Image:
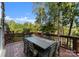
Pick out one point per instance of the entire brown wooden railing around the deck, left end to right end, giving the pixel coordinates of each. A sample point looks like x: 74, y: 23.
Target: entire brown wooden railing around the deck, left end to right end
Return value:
x: 68, y: 42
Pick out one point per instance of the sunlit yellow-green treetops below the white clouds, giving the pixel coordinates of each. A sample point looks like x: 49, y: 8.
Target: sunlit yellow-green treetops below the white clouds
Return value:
x: 19, y: 28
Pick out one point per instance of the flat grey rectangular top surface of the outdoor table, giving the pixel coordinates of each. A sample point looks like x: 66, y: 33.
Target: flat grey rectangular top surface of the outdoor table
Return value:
x: 41, y: 42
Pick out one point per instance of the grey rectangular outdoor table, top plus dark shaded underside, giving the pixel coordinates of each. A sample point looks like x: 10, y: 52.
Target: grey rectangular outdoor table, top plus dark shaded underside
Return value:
x: 43, y: 43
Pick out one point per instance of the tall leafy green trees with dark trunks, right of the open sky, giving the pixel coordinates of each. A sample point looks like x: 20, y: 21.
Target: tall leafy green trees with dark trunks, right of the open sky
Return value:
x: 59, y: 17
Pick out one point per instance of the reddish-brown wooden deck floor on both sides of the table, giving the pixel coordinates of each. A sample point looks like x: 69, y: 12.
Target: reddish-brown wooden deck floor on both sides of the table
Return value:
x: 16, y: 50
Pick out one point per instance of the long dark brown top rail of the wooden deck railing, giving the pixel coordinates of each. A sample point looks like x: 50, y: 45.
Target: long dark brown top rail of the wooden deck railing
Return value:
x: 49, y: 34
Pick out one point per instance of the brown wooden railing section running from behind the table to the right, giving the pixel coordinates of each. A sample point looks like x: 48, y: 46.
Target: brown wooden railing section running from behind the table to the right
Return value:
x: 68, y: 42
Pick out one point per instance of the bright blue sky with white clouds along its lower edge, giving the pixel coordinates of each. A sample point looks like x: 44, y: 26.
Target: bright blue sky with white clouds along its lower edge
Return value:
x: 20, y: 12
